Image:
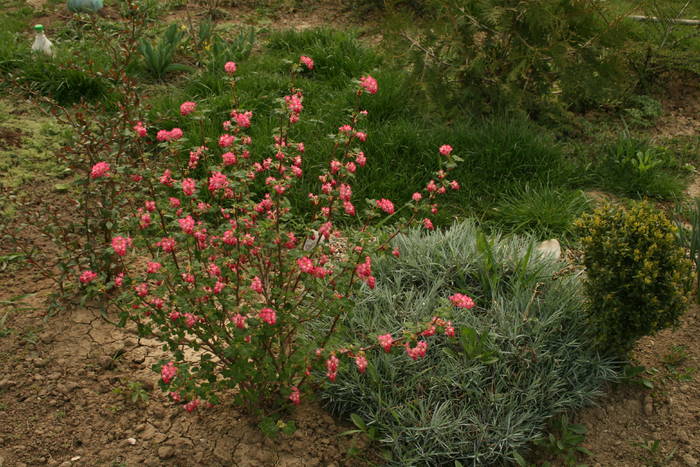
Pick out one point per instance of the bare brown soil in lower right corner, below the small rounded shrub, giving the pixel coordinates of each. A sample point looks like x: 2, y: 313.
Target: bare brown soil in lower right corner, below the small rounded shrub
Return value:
x: 622, y: 431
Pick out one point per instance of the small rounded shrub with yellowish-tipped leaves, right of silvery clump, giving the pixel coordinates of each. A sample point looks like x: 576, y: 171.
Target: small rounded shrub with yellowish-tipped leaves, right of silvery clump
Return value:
x: 637, y: 274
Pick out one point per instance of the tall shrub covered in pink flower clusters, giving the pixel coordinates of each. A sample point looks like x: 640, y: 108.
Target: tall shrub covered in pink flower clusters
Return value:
x: 216, y: 262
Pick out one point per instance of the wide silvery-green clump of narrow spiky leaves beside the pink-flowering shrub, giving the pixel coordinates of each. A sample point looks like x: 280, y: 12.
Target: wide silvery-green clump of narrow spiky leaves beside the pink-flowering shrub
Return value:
x: 523, y: 353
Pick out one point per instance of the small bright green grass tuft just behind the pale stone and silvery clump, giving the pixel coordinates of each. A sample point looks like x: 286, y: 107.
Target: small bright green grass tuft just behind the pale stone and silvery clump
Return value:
x: 544, y: 210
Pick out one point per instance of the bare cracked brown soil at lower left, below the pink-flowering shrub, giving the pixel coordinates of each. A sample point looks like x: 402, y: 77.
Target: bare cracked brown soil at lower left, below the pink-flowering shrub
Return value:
x: 64, y: 402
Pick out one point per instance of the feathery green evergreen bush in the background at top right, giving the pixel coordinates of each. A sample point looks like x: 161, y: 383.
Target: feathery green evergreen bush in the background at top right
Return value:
x: 490, y: 54
